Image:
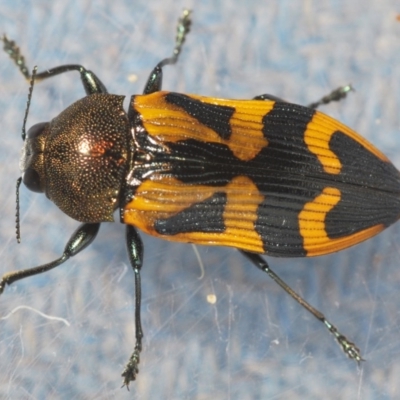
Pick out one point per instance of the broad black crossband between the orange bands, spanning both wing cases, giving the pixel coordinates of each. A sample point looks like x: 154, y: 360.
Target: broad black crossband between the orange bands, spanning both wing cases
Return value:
x: 285, y: 193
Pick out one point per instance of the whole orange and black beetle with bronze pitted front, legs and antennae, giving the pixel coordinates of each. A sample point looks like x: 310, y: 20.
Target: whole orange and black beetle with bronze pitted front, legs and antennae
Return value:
x: 264, y: 176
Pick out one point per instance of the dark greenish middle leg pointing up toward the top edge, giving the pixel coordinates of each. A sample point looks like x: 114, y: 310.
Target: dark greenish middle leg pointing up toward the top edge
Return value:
x: 154, y: 82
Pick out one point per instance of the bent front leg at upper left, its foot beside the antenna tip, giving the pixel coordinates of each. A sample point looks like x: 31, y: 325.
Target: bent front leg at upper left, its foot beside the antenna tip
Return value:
x: 91, y: 83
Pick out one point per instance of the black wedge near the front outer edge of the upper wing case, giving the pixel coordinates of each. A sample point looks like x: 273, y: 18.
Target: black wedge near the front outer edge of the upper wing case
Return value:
x: 212, y: 116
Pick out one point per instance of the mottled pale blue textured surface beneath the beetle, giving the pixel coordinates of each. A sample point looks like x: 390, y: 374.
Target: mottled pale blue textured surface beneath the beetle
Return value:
x: 255, y: 342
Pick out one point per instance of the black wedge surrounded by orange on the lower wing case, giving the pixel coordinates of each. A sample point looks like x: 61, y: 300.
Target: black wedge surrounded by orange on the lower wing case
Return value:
x: 205, y: 216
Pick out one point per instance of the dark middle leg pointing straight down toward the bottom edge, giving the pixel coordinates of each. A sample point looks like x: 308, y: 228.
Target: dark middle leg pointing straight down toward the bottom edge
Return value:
x: 135, y: 252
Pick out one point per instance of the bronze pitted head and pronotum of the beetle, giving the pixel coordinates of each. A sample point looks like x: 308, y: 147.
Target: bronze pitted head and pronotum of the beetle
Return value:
x: 80, y: 158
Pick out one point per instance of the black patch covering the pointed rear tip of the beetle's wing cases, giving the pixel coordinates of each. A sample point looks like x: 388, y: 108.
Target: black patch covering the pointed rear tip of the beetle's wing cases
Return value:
x: 382, y: 181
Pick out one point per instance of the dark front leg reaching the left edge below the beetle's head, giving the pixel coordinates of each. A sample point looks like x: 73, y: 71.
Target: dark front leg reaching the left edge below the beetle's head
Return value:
x: 79, y: 240
